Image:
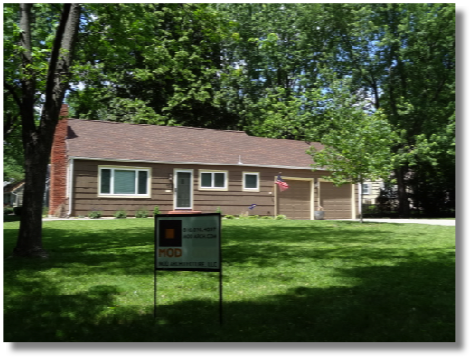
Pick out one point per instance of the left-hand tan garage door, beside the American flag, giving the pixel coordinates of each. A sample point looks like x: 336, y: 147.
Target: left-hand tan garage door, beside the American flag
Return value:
x: 295, y: 202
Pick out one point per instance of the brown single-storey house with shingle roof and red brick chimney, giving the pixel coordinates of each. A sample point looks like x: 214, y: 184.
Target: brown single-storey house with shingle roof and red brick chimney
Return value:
x: 110, y: 166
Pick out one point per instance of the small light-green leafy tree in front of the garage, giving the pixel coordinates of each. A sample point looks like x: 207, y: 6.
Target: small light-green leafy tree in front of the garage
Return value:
x: 357, y: 144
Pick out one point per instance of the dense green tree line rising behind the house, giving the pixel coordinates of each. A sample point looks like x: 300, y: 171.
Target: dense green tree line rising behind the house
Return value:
x: 270, y: 69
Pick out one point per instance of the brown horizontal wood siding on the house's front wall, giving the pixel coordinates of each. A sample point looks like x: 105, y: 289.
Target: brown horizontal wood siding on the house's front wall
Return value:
x: 234, y: 201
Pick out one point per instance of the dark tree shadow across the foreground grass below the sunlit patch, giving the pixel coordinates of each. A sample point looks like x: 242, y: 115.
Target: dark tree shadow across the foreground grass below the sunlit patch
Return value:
x: 410, y: 302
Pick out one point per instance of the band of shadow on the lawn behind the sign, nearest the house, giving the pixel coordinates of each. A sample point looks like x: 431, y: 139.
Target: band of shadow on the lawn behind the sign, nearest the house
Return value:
x: 130, y: 250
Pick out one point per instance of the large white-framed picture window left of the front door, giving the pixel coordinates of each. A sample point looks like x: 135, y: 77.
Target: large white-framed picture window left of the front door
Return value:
x: 117, y: 181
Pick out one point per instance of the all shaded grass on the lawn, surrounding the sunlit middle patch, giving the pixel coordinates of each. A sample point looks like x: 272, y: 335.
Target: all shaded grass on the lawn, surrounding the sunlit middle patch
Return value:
x: 413, y: 300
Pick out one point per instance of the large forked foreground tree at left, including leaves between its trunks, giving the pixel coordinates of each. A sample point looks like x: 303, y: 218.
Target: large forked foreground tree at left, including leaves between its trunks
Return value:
x: 36, y: 72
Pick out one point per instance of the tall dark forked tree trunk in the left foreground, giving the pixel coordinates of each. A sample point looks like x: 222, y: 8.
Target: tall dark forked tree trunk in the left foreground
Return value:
x: 37, y: 140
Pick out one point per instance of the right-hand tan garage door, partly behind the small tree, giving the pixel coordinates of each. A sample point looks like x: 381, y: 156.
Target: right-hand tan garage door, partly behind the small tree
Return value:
x: 336, y: 200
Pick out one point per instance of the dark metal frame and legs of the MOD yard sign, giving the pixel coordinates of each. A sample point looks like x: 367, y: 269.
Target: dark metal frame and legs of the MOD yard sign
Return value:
x: 173, y: 235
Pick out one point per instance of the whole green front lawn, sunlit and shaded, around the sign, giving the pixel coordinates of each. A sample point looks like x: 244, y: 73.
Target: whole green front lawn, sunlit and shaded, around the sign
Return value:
x: 309, y: 281
